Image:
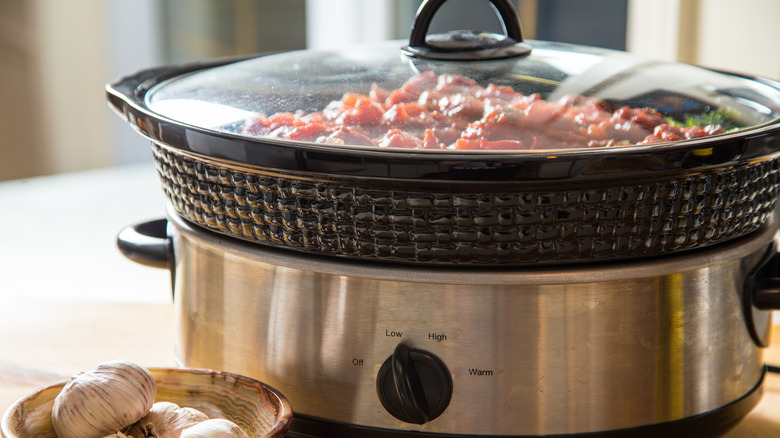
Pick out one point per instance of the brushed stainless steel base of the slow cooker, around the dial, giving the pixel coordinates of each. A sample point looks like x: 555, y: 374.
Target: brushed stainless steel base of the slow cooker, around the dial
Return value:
x: 531, y: 351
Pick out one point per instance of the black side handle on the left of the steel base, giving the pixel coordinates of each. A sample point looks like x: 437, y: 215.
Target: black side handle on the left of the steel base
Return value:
x: 147, y: 243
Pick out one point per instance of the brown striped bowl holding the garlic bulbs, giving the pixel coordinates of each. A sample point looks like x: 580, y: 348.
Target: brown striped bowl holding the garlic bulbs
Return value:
x: 259, y: 410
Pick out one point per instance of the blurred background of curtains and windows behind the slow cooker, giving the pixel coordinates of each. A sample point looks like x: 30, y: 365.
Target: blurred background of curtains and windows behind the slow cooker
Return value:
x: 56, y: 56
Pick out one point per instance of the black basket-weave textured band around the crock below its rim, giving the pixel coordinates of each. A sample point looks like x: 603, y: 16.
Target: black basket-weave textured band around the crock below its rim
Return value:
x: 506, y: 227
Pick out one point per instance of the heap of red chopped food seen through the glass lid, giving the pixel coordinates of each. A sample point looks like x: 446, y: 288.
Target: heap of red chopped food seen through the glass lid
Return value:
x: 446, y: 111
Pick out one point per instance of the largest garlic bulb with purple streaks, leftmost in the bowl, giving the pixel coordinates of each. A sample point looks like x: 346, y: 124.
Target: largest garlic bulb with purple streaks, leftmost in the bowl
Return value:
x: 99, y: 402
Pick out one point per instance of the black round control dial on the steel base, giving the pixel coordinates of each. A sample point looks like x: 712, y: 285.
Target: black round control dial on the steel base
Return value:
x: 414, y: 385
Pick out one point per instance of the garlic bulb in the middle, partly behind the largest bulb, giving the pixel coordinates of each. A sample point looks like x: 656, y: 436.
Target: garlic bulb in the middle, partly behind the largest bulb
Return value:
x: 165, y: 420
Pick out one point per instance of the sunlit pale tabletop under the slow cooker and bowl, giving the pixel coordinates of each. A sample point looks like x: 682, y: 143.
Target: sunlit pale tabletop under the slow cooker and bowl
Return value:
x: 69, y: 300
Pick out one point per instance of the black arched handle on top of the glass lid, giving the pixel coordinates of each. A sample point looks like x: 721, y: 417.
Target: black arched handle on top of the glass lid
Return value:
x: 466, y: 45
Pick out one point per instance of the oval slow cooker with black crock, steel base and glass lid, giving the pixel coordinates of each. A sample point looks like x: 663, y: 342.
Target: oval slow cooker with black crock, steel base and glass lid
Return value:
x: 469, y: 234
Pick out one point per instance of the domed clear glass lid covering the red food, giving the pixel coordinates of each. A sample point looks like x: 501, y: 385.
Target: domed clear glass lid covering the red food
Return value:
x: 557, y: 97
